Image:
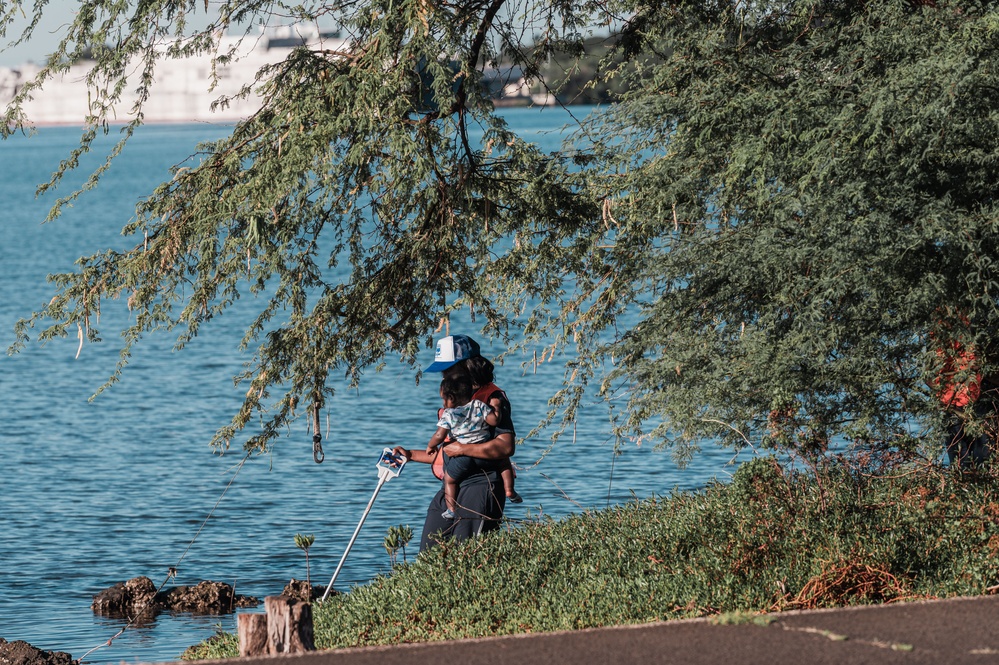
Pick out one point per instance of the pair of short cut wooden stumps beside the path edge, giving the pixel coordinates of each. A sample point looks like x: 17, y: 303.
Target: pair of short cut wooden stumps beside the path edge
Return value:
x: 285, y: 628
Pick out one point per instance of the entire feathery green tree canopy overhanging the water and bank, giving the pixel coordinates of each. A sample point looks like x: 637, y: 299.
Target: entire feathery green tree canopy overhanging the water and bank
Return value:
x: 796, y: 196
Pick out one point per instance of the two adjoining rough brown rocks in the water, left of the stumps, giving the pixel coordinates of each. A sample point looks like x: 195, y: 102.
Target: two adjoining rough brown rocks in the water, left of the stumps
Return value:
x: 128, y: 599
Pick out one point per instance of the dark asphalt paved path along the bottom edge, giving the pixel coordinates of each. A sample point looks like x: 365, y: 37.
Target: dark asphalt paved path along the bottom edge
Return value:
x: 958, y: 631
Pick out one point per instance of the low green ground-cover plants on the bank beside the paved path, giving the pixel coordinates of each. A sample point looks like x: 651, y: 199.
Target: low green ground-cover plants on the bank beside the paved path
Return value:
x: 772, y: 539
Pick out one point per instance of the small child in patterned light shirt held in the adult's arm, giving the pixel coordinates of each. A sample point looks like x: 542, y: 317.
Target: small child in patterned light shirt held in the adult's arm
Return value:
x: 467, y: 421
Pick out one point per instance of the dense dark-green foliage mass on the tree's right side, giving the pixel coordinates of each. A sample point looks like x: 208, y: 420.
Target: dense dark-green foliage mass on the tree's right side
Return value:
x: 800, y: 195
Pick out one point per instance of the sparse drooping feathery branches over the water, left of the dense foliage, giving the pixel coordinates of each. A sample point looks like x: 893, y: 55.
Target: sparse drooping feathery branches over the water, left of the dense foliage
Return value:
x: 358, y: 217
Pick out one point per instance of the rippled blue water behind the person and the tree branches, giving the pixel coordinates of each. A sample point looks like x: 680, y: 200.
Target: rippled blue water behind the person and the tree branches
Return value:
x: 97, y: 492
